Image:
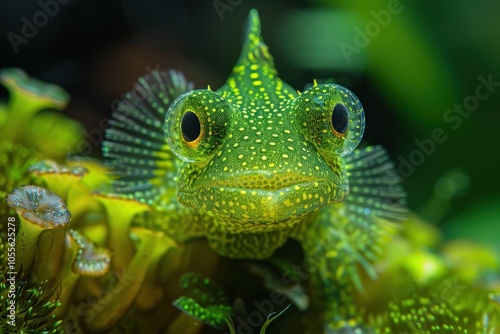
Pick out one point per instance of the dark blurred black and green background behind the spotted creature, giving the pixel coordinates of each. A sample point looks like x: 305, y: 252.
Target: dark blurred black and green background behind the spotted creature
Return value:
x: 408, y: 61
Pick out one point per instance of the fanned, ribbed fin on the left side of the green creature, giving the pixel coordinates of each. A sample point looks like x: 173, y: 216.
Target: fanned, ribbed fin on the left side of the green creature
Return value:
x: 135, y: 147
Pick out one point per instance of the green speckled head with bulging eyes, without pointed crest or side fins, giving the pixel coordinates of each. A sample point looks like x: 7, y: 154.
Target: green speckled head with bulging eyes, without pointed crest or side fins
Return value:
x: 256, y: 164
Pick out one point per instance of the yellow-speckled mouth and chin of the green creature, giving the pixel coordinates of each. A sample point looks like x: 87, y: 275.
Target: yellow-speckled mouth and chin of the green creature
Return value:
x: 253, y: 204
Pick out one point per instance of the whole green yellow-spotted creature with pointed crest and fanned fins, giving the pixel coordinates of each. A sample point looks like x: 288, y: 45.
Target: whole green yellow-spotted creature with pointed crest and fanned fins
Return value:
x: 255, y: 163
